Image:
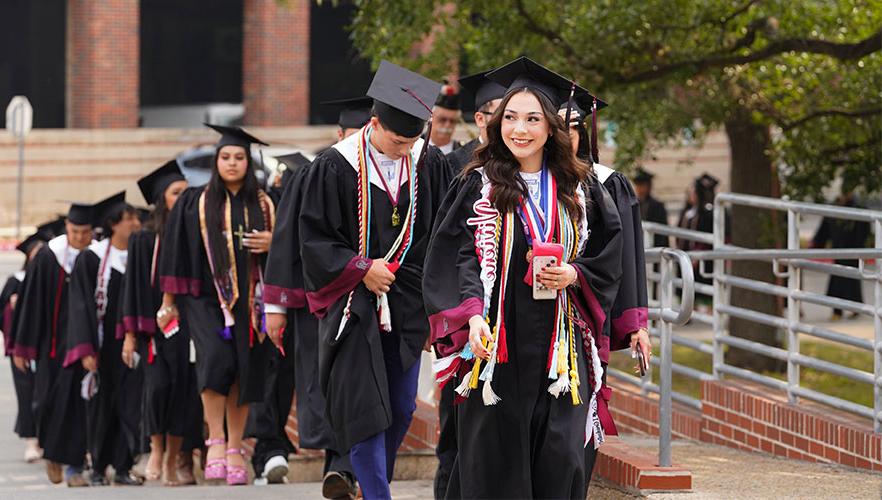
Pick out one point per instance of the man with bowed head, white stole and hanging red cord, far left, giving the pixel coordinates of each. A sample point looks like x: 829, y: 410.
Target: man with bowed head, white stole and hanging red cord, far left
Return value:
x: 40, y: 333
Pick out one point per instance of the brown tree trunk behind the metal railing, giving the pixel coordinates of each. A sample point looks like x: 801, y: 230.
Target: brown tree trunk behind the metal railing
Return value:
x: 752, y: 172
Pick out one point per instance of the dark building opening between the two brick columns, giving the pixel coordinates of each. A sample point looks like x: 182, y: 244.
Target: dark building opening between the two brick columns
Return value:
x: 191, y: 51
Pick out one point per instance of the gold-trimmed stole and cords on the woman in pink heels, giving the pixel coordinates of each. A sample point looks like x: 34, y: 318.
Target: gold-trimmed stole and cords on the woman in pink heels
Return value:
x: 228, y: 290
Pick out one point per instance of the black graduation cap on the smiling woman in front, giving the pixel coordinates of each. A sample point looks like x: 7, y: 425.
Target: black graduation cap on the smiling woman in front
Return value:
x: 523, y: 72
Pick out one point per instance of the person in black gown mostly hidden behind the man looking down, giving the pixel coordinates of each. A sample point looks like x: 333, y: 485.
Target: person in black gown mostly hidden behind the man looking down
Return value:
x: 298, y: 369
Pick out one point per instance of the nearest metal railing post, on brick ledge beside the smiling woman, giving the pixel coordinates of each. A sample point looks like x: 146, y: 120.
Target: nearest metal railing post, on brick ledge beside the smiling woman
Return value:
x: 666, y: 365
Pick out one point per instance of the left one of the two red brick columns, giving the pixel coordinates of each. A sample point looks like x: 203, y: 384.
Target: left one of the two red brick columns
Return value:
x: 103, y: 59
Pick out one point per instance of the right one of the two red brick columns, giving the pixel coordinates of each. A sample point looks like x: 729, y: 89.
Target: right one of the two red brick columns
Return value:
x: 275, y: 60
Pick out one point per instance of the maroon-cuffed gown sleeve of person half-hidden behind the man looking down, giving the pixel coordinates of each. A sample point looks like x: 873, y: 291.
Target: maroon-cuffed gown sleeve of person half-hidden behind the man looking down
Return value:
x: 283, y: 284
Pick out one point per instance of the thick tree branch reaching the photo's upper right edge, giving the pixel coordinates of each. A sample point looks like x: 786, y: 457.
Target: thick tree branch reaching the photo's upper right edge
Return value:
x: 841, y: 51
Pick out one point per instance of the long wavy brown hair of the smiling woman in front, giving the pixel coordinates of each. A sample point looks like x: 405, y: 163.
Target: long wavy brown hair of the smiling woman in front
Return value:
x: 501, y: 167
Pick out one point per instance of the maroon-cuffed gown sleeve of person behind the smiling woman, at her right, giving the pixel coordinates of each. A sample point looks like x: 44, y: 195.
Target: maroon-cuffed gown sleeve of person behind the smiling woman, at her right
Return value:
x: 629, y: 312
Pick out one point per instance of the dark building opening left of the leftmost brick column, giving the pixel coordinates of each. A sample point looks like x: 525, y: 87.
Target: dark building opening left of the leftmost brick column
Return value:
x: 32, y: 46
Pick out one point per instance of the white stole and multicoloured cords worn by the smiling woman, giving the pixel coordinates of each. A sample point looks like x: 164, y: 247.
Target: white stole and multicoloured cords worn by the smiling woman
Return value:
x: 562, y: 363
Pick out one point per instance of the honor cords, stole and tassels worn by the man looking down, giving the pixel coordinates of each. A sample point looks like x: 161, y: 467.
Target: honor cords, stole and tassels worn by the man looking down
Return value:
x: 397, y: 253
